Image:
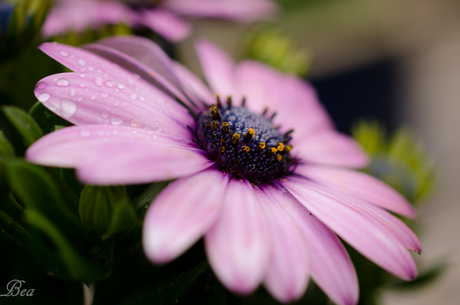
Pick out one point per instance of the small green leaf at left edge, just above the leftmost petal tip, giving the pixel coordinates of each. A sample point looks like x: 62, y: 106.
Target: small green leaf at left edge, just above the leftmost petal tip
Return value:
x: 24, y: 123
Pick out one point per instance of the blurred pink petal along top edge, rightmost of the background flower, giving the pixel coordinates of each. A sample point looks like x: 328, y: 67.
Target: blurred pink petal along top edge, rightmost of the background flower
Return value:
x: 239, y: 10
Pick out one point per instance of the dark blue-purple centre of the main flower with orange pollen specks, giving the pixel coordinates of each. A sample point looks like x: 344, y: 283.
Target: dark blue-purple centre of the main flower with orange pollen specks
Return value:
x: 243, y: 143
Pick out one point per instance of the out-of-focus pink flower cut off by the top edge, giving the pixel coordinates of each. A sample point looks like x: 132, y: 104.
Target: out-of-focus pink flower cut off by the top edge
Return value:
x: 168, y: 18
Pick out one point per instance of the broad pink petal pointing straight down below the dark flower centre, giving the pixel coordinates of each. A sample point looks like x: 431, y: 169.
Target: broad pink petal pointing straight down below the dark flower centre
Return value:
x: 238, y: 245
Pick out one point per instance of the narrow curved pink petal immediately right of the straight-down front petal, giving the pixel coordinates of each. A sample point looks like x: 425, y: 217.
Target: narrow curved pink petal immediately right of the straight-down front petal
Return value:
x: 289, y: 267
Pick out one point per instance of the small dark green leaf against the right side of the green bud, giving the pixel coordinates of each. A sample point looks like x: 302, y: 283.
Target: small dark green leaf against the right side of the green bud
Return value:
x: 123, y: 219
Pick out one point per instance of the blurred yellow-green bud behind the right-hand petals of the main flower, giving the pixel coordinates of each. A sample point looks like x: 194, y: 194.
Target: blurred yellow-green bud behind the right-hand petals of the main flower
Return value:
x: 400, y: 159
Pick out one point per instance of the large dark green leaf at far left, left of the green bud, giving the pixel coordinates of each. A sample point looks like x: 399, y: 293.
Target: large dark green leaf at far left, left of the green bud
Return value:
x: 35, y: 188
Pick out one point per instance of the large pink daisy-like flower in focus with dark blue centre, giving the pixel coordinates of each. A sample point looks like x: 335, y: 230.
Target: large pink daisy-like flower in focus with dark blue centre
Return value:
x: 261, y: 172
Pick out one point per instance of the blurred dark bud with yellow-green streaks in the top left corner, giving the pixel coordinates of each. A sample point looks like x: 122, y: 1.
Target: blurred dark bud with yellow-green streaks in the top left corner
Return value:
x: 20, y: 23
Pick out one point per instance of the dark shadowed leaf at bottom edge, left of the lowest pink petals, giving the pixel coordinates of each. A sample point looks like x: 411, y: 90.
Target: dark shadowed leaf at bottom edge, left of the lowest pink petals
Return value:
x: 169, y: 291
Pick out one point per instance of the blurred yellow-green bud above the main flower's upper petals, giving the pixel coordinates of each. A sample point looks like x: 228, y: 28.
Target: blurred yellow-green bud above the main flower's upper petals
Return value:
x: 271, y: 46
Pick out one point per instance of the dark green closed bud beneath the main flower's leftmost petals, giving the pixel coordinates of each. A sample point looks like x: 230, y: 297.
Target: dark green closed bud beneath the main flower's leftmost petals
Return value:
x: 106, y: 210
